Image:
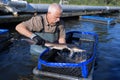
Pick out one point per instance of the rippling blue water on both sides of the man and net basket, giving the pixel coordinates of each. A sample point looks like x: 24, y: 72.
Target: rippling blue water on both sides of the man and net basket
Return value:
x: 16, y: 63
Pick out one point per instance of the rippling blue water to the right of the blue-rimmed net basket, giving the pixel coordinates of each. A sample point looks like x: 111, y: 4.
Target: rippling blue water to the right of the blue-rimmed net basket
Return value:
x: 108, y: 62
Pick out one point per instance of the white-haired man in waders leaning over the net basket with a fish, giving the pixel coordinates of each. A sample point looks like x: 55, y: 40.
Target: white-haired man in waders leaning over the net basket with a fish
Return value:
x: 44, y: 29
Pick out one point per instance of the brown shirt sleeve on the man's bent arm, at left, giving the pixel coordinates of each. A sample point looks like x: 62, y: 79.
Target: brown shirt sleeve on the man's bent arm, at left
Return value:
x: 34, y: 24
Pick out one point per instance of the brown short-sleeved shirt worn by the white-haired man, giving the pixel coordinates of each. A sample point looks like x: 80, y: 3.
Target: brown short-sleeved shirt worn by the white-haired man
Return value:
x: 37, y: 23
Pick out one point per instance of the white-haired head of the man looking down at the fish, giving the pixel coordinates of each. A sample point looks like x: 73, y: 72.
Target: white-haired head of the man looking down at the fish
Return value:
x: 54, y: 13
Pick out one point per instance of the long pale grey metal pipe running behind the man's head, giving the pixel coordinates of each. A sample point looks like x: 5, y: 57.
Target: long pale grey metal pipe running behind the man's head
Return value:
x: 74, y: 8
